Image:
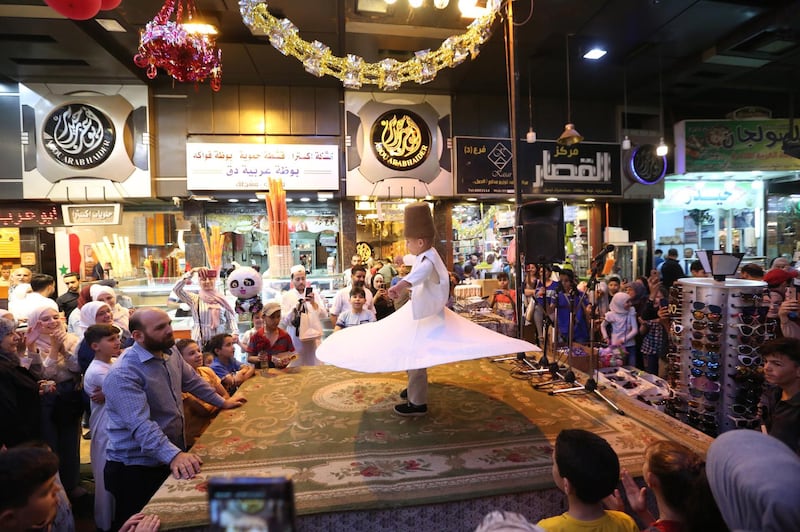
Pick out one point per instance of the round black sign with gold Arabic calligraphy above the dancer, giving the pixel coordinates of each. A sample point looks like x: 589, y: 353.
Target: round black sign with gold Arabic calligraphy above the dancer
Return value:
x: 400, y: 139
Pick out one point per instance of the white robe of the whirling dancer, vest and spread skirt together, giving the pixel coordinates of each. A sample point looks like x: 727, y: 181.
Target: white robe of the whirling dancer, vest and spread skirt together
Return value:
x: 421, y: 334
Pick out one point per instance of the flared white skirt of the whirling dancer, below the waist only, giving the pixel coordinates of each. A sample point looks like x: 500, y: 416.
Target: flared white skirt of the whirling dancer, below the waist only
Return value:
x: 399, y: 342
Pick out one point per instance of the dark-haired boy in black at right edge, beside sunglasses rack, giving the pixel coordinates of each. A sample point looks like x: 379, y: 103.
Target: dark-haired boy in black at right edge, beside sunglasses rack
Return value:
x: 780, y: 403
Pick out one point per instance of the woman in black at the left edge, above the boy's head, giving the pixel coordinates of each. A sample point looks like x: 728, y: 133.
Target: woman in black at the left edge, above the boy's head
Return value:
x: 20, y: 408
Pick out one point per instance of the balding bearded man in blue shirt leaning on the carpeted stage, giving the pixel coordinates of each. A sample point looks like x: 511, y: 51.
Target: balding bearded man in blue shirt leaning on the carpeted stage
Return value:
x: 144, y: 404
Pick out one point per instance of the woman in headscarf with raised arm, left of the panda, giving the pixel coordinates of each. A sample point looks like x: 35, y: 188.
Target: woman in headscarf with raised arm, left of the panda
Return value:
x: 211, y: 312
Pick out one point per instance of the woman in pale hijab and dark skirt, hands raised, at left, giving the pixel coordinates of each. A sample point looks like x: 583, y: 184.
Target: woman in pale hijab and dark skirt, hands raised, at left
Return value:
x: 63, y: 406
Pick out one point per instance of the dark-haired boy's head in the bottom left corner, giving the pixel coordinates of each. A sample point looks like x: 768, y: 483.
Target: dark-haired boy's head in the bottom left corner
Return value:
x: 28, y: 488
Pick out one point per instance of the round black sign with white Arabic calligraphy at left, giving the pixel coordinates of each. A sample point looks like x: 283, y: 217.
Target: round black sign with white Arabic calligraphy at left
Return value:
x: 79, y: 136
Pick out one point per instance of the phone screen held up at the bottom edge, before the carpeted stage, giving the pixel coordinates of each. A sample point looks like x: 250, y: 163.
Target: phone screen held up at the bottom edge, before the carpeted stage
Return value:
x: 250, y: 503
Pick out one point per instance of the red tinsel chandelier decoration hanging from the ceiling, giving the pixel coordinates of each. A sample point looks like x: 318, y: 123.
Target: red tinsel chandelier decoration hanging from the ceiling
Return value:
x: 186, y: 51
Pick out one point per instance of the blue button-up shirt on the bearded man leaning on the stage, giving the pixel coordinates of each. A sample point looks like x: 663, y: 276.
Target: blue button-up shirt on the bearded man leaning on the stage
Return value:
x: 145, y: 406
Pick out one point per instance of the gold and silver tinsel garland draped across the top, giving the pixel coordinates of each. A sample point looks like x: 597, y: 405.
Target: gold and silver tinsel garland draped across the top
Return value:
x: 388, y: 74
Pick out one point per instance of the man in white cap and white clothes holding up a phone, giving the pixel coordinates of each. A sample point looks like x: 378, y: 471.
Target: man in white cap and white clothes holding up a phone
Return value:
x: 301, y: 297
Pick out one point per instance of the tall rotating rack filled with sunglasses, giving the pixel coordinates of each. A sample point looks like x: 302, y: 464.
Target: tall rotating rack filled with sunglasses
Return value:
x: 721, y: 327
